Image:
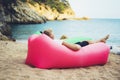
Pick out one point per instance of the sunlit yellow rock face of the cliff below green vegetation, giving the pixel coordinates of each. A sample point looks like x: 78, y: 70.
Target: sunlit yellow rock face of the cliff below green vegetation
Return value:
x: 52, y: 14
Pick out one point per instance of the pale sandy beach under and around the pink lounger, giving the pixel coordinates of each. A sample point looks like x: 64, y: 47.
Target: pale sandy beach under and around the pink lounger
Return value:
x: 12, y: 67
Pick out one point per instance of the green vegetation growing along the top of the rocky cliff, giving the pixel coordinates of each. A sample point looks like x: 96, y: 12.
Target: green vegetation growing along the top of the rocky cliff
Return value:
x: 60, y: 6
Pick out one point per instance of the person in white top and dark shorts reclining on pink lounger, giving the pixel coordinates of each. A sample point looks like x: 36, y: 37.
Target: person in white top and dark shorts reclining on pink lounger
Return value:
x: 76, y: 46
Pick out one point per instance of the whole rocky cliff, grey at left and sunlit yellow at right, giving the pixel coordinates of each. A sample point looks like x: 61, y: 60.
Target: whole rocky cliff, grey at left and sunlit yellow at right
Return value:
x: 26, y: 12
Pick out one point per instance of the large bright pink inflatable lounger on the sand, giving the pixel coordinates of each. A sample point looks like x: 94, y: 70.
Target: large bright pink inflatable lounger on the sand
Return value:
x: 44, y: 53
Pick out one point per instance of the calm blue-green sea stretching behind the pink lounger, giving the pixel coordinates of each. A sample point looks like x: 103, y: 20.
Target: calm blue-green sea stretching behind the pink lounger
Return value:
x: 94, y: 28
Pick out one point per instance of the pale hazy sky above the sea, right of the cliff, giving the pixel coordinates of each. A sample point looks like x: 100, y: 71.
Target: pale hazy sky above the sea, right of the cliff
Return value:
x: 96, y: 8
